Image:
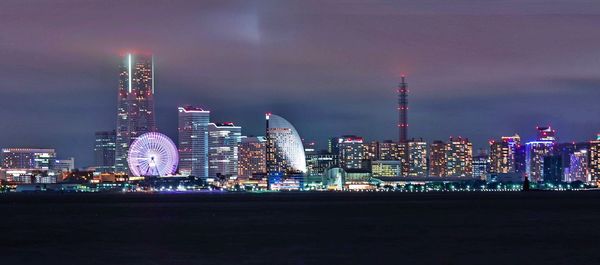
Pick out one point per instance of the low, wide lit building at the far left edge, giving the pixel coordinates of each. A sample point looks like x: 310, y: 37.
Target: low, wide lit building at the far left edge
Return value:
x: 28, y: 158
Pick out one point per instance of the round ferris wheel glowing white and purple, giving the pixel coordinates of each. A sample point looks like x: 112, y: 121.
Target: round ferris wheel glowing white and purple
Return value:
x: 152, y: 154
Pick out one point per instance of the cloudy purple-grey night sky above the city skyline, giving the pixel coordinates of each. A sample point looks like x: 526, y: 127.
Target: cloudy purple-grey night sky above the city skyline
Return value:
x: 475, y: 68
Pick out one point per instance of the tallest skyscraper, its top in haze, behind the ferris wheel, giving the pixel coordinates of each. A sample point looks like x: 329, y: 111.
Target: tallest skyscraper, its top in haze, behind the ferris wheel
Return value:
x: 135, y: 107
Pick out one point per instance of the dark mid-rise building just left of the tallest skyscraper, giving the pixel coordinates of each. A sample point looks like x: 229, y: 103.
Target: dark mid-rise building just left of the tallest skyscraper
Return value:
x: 104, y: 152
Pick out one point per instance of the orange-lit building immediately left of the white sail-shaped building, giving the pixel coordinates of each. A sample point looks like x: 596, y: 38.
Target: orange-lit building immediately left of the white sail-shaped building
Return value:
x: 252, y: 157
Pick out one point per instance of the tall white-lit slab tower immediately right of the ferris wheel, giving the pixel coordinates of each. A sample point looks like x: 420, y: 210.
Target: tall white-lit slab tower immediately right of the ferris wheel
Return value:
x: 193, y: 141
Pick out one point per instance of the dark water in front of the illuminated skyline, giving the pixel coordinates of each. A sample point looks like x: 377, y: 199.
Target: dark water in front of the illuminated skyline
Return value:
x: 301, y: 228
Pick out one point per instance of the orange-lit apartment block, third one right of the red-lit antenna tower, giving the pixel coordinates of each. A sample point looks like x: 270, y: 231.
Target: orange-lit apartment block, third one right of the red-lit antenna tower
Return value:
x: 459, y: 157
